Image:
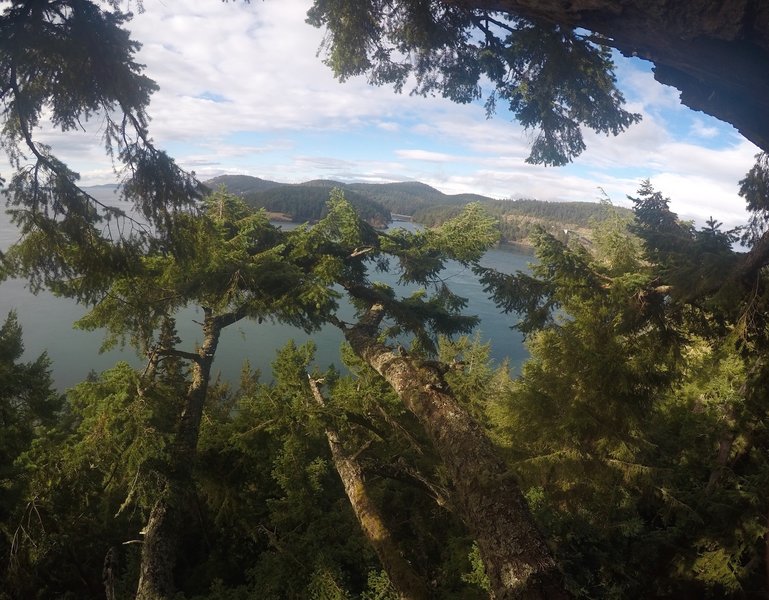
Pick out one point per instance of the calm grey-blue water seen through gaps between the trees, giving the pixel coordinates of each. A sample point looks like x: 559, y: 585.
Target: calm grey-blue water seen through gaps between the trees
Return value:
x: 48, y: 326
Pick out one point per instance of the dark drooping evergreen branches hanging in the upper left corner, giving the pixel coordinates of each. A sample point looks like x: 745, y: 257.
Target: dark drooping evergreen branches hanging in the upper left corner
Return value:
x: 74, y: 61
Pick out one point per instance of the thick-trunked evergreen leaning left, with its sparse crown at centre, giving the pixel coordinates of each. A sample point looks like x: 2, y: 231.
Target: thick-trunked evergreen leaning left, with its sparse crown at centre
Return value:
x: 515, y: 554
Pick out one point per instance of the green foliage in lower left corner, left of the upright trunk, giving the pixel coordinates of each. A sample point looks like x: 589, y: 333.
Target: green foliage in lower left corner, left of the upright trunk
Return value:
x: 86, y: 484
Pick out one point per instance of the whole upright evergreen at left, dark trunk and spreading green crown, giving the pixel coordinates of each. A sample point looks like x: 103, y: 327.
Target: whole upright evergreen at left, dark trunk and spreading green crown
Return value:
x: 231, y: 263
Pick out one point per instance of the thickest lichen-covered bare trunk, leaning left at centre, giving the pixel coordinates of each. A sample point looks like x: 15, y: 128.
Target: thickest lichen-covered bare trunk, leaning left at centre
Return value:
x: 517, y: 559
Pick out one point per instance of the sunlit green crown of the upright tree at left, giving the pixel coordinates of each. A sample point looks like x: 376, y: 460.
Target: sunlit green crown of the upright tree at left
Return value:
x: 233, y: 262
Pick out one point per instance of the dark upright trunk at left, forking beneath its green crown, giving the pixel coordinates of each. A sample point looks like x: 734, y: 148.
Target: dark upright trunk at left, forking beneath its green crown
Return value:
x: 167, y: 517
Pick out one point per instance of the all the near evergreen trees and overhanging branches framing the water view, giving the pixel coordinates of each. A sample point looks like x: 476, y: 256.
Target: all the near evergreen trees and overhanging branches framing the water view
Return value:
x: 627, y: 460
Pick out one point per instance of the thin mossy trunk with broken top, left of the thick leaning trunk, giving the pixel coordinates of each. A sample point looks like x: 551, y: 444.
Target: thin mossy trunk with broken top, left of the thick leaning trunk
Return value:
x: 408, y: 584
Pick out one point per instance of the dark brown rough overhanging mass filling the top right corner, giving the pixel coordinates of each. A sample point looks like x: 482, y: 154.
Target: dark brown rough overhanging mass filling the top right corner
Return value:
x: 715, y: 52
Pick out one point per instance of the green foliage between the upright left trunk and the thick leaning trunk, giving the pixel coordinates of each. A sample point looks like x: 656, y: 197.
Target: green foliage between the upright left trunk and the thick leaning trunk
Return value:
x: 277, y: 504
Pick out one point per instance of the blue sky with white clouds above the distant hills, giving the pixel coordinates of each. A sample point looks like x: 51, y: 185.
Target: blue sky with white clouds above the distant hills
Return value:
x: 243, y: 90
